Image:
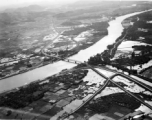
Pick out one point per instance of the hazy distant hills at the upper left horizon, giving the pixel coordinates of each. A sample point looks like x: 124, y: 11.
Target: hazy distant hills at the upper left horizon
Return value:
x: 24, y: 14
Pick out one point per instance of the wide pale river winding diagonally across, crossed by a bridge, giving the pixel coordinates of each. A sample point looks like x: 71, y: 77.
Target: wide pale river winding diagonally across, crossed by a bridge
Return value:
x: 114, y: 31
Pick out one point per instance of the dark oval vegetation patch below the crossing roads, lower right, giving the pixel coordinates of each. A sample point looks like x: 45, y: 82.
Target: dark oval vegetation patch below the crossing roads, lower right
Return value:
x: 103, y: 104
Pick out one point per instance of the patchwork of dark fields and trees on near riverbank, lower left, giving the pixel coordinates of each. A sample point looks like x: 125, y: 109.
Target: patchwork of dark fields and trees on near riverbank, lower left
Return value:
x: 41, y: 100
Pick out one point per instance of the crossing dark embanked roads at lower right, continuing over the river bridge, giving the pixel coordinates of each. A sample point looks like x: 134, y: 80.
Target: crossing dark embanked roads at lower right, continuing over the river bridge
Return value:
x: 106, y: 83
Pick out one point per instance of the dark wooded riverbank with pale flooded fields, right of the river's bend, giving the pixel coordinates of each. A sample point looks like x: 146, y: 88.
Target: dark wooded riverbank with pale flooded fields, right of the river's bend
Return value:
x: 131, y: 61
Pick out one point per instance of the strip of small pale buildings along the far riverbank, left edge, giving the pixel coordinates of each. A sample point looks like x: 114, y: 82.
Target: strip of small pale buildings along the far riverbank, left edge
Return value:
x: 19, y: 65
